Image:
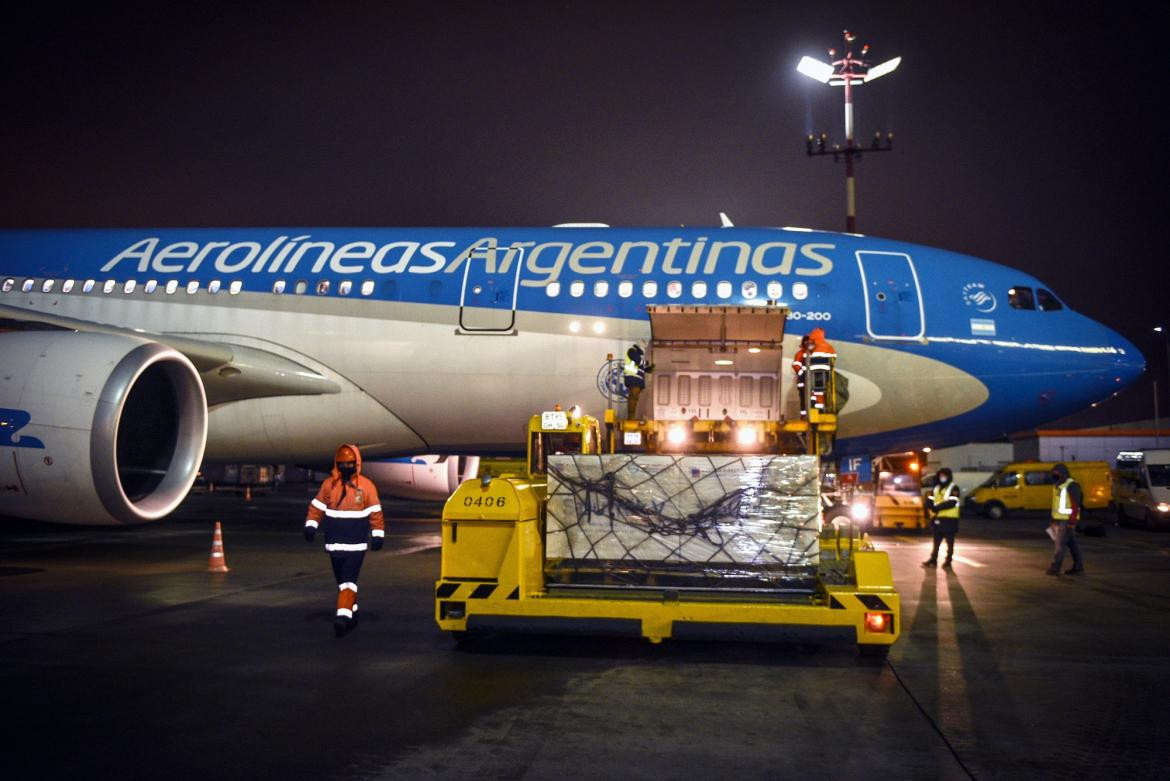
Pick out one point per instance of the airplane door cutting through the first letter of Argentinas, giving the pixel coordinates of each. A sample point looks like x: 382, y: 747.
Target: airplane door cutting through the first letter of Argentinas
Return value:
x: 487, y: 300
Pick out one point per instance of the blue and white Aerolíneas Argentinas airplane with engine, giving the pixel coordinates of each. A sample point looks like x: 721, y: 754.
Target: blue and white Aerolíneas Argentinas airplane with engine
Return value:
x: 133, y: 355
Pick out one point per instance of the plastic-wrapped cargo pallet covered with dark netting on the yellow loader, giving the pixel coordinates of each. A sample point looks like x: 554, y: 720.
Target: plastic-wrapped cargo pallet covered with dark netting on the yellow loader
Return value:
x: 684, y: 522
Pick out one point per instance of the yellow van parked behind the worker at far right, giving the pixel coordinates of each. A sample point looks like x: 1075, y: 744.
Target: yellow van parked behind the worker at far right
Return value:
x: 1028, y: 486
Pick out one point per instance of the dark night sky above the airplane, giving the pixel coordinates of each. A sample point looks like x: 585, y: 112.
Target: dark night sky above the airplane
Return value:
x: 1026, y: 134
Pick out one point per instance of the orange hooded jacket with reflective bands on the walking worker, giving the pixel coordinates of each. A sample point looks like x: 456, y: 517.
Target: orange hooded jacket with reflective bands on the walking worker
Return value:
x: 349, y: 510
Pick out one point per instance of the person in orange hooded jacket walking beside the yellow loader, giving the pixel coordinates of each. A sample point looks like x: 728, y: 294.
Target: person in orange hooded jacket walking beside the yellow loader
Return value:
x: 348, y: 504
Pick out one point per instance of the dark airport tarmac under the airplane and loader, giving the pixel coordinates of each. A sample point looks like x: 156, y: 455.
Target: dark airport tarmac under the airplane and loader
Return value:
x: 121, y: 656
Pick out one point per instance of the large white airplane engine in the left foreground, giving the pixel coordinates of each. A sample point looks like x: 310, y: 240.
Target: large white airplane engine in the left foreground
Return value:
x: 95, y: 428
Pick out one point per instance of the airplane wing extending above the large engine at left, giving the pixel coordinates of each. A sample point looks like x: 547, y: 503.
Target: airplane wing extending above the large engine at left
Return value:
x: 229, y: 372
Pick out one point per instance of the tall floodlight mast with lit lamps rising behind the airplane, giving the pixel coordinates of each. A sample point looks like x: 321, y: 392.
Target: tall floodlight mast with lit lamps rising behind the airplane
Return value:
x: 848, y: 72
